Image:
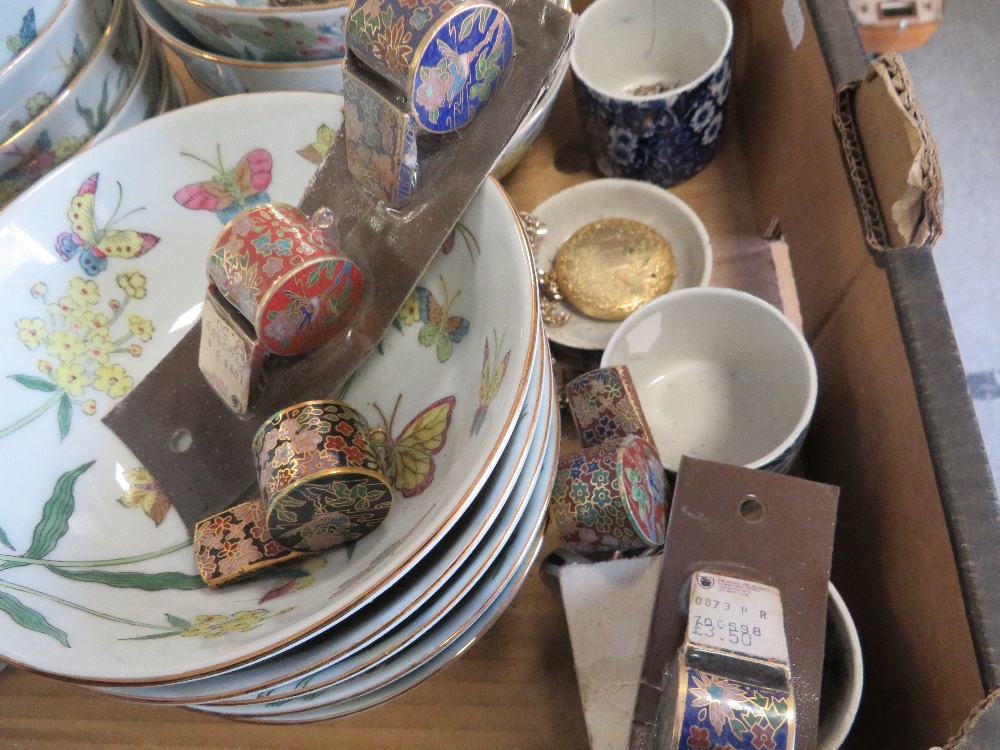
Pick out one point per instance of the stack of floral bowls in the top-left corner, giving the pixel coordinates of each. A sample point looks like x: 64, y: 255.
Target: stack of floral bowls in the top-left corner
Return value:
x: 87, y: 71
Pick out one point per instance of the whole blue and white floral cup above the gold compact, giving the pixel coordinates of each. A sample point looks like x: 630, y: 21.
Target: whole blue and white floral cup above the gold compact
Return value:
x: 651, y: 79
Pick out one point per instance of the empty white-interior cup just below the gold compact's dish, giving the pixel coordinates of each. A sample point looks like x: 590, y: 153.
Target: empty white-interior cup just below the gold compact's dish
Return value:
x: 721, y: 375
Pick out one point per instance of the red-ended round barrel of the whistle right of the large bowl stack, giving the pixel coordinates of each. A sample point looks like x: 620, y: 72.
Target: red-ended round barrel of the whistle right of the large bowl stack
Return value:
x: 611, y: 497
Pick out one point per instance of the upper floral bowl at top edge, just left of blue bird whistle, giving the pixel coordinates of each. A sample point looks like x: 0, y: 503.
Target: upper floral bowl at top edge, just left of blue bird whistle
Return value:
x: 259, y: 31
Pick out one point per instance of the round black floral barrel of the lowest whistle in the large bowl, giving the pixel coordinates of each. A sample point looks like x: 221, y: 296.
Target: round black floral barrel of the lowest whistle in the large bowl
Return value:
x: 320, y: 476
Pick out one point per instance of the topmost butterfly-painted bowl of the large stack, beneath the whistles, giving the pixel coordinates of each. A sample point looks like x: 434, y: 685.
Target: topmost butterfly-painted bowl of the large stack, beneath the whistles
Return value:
x: 98, y: 581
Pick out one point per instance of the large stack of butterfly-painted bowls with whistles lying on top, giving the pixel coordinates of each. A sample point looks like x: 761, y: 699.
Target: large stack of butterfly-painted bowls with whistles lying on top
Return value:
x: 97, y: 575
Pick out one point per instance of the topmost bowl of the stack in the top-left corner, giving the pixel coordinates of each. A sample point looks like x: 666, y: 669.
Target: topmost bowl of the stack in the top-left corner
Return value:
x: 30, y: 81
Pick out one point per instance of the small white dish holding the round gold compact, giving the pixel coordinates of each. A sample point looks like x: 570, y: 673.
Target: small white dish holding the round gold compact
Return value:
x: 569, y: 210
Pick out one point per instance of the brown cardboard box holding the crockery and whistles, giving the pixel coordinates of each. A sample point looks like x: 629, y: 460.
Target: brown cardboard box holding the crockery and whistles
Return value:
x: 918, y: 527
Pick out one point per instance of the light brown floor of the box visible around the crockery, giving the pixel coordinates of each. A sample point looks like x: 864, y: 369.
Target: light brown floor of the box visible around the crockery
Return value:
x: 515, y: 687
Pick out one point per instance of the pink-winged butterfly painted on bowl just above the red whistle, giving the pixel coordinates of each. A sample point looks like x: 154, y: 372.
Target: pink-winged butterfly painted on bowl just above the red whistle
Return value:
x: 230, y: 191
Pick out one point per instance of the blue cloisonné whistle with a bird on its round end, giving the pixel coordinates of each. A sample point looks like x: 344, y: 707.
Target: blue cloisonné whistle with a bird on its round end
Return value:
x: 415, y: 68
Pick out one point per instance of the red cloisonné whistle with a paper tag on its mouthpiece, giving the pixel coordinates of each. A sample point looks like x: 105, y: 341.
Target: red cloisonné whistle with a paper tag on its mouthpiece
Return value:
x: 277, y: 285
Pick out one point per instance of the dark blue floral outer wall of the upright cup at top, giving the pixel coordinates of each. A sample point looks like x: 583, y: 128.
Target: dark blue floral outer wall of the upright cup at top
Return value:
x: 664, y: 139
